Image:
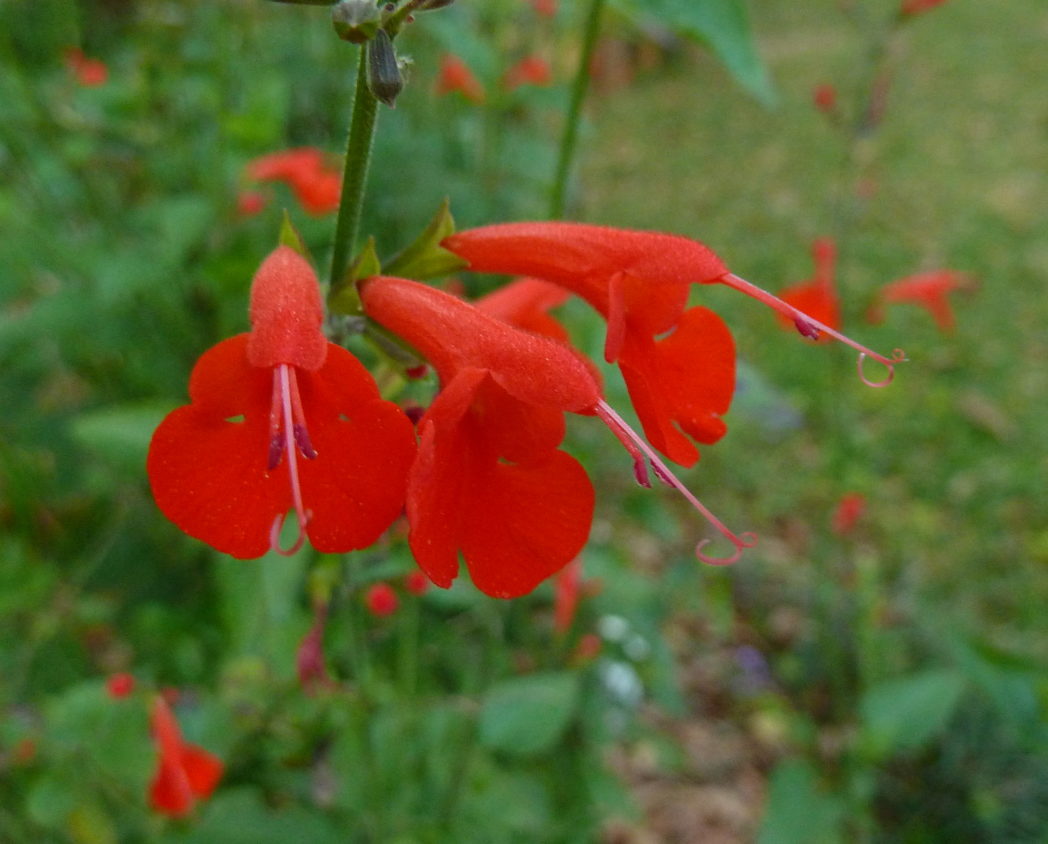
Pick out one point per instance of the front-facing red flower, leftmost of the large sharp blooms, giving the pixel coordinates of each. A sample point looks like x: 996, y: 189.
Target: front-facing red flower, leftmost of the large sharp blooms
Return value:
x: 280, y: 419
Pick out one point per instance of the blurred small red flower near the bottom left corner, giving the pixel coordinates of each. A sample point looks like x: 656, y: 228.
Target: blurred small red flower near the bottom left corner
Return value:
x: 185, y: 773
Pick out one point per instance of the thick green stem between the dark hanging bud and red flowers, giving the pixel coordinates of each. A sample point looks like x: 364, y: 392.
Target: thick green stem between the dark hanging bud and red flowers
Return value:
x: 355, y: 178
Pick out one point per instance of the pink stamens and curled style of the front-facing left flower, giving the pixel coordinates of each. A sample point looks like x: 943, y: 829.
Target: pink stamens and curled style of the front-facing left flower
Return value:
x: 289, y: 427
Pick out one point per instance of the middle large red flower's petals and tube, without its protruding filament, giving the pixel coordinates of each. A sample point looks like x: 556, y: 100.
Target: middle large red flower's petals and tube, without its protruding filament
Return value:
x: 490, y: 480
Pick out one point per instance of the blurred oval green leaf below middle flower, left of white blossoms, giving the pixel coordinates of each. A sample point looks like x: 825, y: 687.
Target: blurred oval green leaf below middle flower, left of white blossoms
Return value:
x: 528, y: 717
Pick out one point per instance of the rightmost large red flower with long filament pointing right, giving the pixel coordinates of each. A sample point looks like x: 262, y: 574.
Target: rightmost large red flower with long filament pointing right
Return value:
x: 679, y: 362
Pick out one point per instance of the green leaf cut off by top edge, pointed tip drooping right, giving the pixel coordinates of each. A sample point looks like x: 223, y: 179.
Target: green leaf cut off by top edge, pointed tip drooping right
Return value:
x: 722, y: 25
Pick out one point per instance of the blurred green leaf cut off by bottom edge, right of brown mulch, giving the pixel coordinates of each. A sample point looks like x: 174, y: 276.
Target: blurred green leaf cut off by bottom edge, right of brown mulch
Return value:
x: 799, y: 811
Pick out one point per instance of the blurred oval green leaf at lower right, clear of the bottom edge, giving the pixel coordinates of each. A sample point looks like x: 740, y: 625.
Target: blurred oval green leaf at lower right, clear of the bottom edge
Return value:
x: 906, y: 713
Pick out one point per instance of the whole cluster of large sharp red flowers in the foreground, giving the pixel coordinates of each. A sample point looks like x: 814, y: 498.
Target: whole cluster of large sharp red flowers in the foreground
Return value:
x: 282, y: 420
